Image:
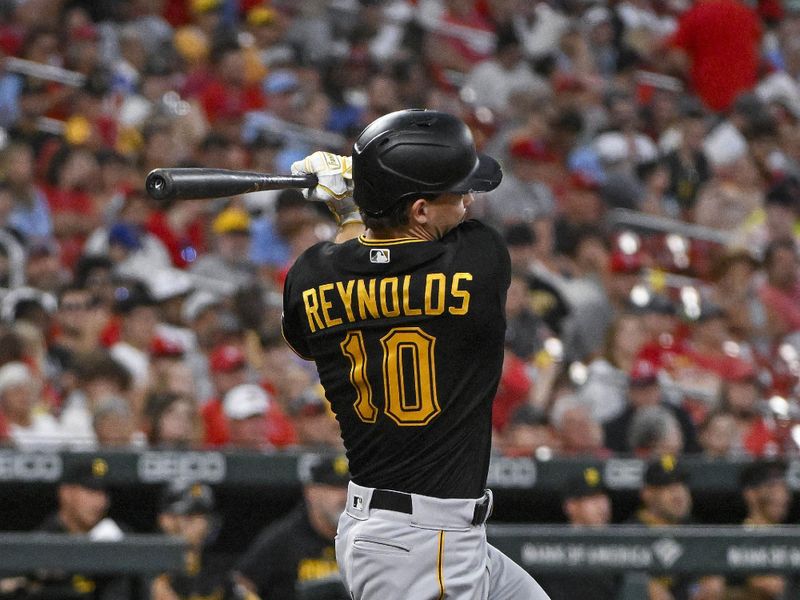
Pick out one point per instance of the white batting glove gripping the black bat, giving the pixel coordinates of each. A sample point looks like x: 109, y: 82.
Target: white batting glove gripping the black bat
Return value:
x: 335, y: 184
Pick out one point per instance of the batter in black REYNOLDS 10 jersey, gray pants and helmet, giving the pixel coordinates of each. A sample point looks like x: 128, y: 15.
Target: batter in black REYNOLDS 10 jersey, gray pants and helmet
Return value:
x: 404, y: 316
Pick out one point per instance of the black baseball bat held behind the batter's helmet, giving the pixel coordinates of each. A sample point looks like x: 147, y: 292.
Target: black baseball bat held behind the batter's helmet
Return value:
x: 195, y: 183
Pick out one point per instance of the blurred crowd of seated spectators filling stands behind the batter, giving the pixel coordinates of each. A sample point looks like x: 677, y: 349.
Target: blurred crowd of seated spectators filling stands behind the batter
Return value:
x: 651, y: 155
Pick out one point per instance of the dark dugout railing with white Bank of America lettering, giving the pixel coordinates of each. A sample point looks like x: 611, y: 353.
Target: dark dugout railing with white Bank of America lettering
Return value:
x: 636, y: 552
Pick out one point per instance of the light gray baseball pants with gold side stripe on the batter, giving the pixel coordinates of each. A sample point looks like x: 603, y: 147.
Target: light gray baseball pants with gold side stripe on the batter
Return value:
x: 433, y: 553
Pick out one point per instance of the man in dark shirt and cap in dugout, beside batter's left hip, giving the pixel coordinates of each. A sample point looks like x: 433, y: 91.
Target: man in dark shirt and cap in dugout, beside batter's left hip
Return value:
x: 294, y: 557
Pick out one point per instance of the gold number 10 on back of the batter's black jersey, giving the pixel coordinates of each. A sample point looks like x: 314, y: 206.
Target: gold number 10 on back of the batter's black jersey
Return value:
x: 409, y: 376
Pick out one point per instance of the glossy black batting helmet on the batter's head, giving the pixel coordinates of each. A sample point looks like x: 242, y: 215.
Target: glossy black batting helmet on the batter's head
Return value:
x: 413, y: 153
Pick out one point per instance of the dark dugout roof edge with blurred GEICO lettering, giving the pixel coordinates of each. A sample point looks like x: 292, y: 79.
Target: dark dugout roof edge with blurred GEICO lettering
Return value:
x: 279, y: 469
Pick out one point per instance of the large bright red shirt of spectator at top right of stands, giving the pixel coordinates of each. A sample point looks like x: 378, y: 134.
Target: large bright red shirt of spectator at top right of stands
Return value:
x: 721, y: 40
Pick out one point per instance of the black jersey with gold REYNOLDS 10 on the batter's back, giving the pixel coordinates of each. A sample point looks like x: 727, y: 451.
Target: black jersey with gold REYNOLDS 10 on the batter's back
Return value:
x: 407, y: 336
